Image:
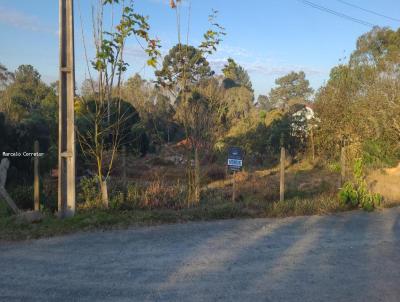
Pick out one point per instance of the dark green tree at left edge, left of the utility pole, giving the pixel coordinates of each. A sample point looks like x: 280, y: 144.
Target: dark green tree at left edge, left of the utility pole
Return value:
x: 29, y: 113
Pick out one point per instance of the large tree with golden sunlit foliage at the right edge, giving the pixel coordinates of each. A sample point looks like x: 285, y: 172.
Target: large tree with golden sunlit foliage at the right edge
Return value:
x: 360, y: 104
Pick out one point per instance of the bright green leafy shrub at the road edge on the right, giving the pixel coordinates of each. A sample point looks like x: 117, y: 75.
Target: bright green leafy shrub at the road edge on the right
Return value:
x: 357, y: 194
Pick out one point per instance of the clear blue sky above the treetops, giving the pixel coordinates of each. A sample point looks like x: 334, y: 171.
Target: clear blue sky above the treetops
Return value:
x: 269, y: 38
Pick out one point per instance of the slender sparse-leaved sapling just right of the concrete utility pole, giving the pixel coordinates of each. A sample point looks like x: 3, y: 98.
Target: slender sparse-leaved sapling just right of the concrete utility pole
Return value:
x: 100, y: 140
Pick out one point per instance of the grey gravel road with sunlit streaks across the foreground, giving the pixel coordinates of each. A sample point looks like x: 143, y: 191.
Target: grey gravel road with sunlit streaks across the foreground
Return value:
x: 353, y: 256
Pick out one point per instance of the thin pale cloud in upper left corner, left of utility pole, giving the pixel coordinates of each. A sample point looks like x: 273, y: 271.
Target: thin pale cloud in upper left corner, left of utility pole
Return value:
x: 18, y: 19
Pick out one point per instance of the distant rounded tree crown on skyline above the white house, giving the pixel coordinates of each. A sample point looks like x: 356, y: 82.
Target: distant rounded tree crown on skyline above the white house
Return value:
x: 291, y: 86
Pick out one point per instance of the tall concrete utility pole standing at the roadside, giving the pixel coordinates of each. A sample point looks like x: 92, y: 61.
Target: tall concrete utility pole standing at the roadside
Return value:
x: 66, y: 139
